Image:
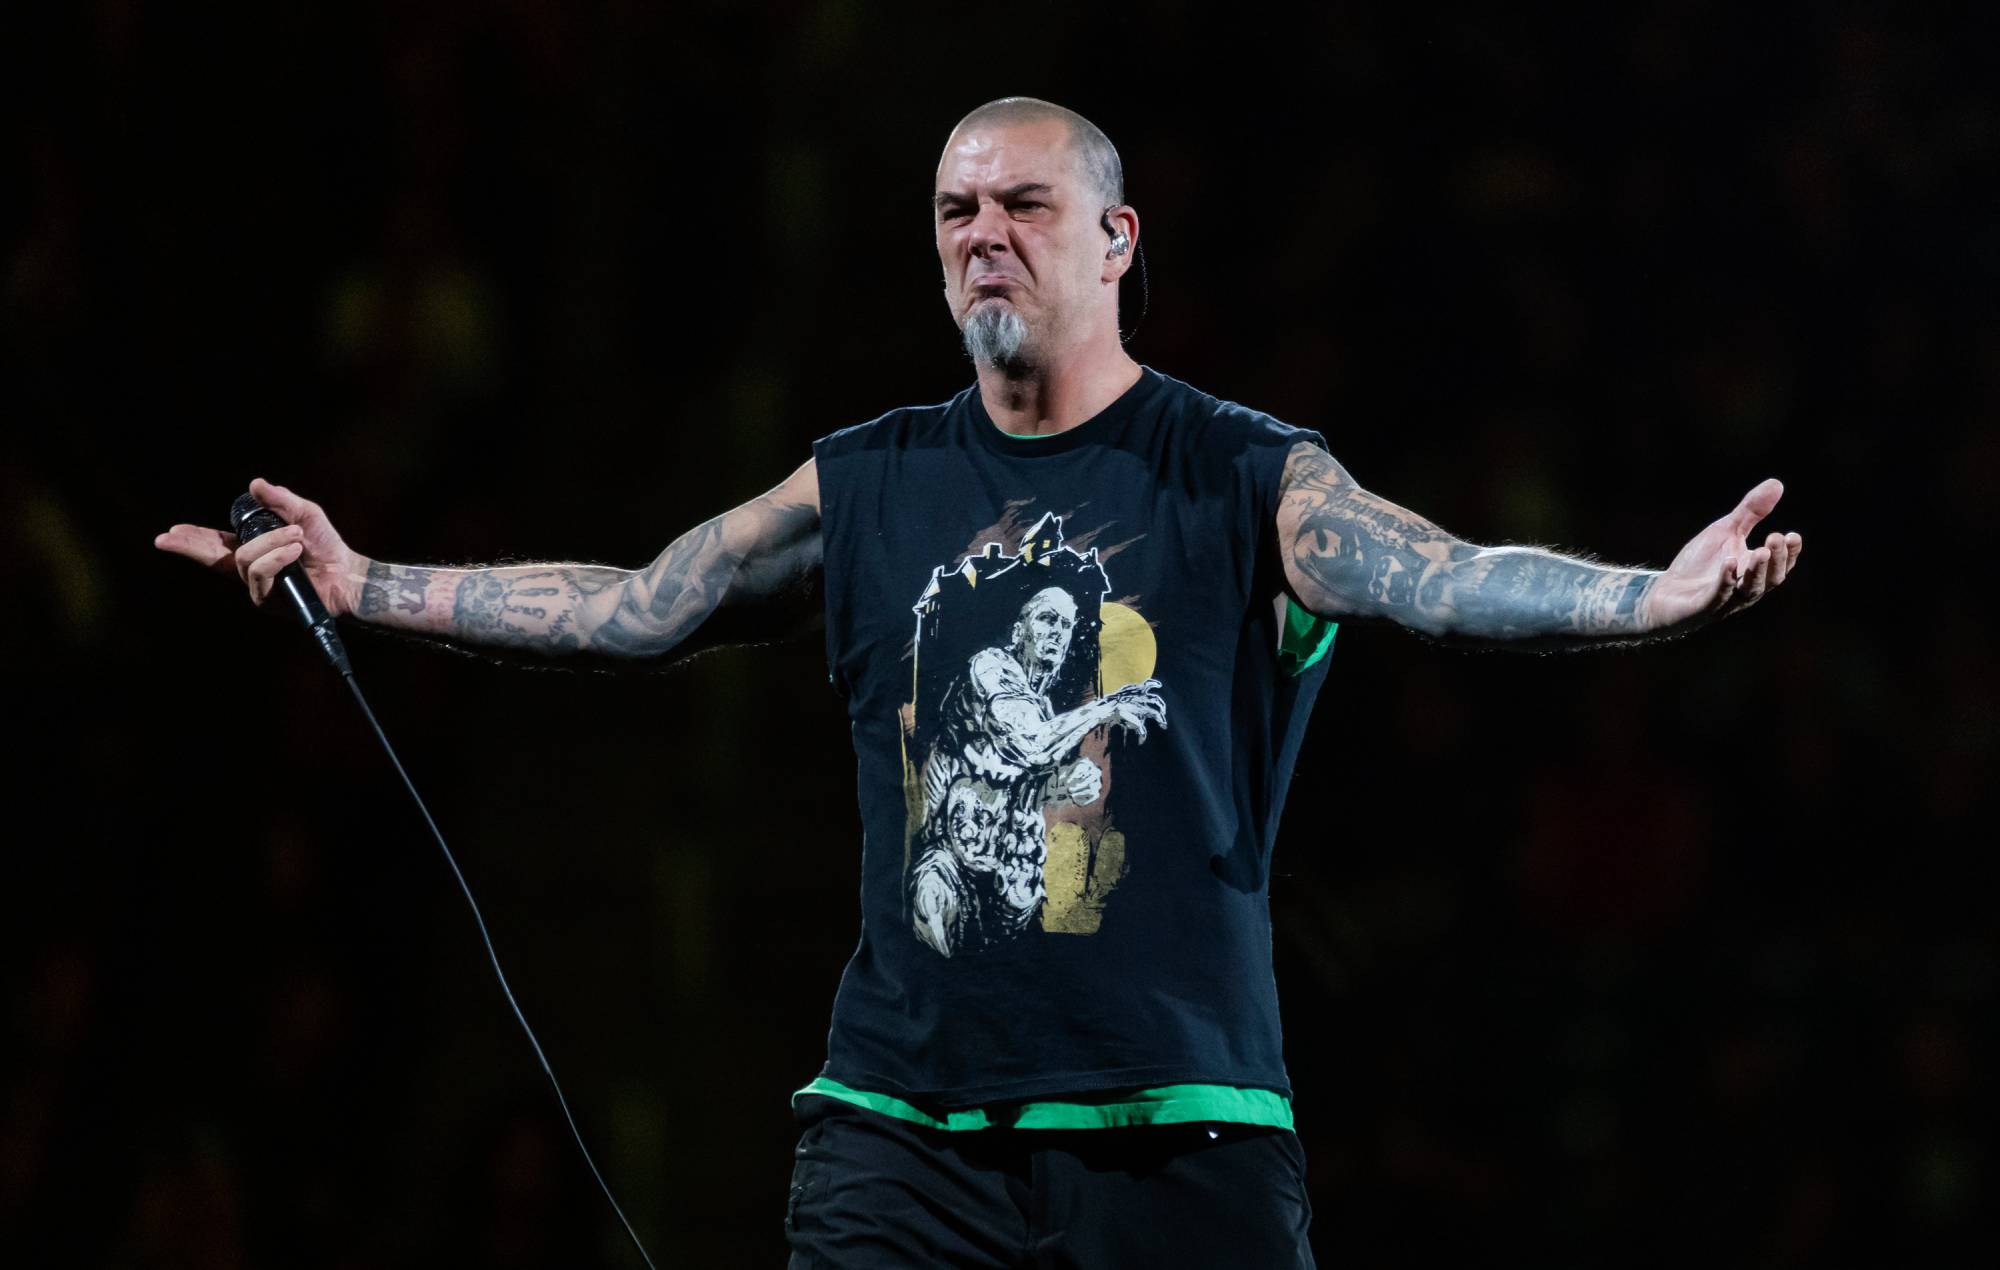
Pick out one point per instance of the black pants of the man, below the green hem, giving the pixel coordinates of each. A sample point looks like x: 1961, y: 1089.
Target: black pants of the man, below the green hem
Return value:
x: 873, y: 1191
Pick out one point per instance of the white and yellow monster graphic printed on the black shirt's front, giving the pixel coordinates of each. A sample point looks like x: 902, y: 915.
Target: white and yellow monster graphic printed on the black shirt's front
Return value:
x: 1023, y: 675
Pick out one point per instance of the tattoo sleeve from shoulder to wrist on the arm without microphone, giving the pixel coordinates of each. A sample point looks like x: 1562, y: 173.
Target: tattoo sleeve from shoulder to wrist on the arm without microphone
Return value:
x: 1355, y: 555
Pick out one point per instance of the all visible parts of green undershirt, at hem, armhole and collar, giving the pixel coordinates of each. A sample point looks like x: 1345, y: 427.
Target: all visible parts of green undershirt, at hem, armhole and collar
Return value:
x: 1303, y: 643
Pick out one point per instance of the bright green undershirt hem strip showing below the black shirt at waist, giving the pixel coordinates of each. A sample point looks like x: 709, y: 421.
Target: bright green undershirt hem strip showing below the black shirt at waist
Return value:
x: 1165, y: 1105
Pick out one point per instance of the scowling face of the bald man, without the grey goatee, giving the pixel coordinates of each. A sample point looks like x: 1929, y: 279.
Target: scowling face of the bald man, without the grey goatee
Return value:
x: 1019, y: 227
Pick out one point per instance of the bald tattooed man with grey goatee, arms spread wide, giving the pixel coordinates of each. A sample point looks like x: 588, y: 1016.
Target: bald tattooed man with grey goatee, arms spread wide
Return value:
x: 1105, y: 1085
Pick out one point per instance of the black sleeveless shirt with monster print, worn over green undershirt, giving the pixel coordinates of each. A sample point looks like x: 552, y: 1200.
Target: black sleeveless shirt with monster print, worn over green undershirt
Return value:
x: 1073, y: 737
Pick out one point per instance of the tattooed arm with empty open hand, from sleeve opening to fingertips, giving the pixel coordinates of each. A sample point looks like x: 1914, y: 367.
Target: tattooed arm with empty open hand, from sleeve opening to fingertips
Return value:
x: 1353, y: 555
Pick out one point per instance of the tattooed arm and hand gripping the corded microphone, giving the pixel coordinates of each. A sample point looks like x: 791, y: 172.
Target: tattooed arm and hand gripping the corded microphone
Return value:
x: 751, y: 573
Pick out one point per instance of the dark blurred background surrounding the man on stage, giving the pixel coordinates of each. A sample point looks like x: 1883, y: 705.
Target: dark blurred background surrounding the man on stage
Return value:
x: 1645, y: 957
